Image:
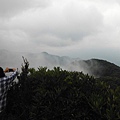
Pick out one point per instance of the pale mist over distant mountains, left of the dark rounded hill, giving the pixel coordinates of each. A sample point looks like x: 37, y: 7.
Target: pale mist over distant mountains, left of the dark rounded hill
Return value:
x: 14, y: 59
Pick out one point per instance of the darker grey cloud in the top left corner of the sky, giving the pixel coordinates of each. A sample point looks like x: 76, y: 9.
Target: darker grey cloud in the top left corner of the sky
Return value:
x: 9, y: 8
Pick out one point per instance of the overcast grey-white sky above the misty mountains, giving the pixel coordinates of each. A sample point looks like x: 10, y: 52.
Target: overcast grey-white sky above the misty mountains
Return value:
x: 76, y: 28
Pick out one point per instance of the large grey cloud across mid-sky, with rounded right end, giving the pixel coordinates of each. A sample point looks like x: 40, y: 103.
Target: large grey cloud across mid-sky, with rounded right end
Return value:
x: 68, y: 22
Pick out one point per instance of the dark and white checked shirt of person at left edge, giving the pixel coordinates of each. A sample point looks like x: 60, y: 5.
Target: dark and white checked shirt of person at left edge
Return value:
x: 5, y: 83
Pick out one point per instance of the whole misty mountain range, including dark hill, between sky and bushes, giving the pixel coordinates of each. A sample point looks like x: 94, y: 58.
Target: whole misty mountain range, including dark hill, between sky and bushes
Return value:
x: 93, y: 66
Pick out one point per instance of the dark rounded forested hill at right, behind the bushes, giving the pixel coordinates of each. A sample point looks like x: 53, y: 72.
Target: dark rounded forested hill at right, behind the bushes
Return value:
x: 101, y: 68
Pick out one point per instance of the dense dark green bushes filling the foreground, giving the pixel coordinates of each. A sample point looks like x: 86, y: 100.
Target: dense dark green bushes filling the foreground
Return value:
x: 58, y: 94
